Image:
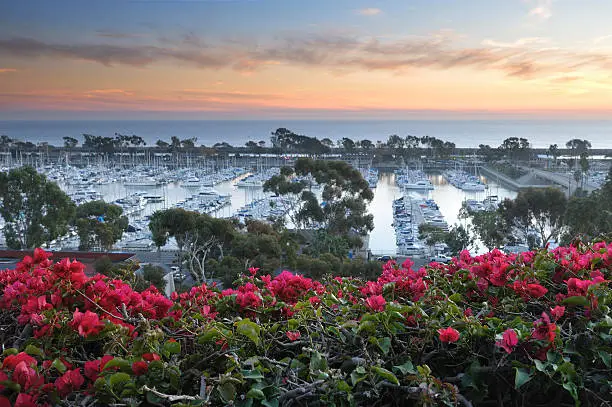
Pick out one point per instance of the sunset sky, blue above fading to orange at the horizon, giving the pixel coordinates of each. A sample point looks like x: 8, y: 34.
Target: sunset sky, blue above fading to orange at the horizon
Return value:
x: 305, y: 59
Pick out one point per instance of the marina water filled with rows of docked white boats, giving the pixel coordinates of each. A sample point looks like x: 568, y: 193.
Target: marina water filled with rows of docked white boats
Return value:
x: 236, y: 191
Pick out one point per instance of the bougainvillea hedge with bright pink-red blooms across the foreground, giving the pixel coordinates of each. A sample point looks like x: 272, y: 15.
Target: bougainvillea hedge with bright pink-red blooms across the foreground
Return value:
x: 522, y: 329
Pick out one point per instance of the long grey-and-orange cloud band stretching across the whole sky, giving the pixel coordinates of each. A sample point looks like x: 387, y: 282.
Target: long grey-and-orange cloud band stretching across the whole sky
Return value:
x: 524, y: 58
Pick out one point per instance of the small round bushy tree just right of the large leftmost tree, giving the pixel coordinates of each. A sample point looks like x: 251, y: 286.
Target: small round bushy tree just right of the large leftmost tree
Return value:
x: 99, y: 225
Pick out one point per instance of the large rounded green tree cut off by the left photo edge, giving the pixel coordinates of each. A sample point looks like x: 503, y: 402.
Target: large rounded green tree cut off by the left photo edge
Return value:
x: 35, y: 210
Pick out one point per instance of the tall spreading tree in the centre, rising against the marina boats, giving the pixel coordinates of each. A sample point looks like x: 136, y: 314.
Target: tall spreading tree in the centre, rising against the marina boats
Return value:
x: 343, y: 208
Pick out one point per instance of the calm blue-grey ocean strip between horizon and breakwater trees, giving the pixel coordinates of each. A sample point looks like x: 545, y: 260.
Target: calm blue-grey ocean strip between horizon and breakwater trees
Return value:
x: 464, y: 133
